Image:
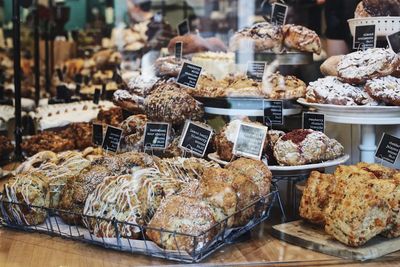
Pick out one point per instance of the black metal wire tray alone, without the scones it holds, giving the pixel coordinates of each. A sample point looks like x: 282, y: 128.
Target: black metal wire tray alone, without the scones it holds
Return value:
x: 54, y: 226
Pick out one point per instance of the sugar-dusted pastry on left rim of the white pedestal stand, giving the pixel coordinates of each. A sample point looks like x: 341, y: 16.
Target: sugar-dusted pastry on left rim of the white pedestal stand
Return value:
x: 330, y: 90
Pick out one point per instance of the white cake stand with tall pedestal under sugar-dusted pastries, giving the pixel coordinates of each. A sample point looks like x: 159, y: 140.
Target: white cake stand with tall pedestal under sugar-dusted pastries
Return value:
x: 365, y: 116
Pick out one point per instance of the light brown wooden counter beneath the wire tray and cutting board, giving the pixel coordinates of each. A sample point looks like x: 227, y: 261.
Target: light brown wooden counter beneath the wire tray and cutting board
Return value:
x: 33, y: 249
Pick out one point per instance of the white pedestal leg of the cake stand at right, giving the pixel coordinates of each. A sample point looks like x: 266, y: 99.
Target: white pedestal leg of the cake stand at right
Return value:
x: 367, y: 145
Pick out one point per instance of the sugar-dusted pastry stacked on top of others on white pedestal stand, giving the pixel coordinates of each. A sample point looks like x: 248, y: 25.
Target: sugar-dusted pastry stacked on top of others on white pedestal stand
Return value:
x: 361, y: 66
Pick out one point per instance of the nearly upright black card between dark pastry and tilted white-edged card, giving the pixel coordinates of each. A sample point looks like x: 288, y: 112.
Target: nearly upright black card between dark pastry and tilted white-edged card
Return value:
x: 156, y: 135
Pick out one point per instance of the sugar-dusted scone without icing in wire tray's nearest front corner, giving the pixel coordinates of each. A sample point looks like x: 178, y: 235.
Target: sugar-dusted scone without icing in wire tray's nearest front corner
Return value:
x: 183, y: 215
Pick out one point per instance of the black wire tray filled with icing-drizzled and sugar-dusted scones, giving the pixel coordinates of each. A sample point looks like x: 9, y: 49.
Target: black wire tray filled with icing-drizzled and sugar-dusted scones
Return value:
x: 138, y: 203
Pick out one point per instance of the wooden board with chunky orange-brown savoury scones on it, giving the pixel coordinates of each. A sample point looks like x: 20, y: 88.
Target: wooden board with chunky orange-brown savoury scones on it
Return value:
x: 352, y: 213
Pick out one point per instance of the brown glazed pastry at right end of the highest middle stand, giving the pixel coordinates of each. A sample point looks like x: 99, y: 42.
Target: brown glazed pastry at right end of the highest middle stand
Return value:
x: 301, y: 38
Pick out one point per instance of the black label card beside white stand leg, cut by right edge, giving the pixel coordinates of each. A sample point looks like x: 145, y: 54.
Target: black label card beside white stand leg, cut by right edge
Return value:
x: 389, y: 148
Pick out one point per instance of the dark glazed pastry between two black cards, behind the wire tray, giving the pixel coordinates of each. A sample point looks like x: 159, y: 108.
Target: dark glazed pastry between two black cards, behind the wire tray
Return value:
x: 133, y: 129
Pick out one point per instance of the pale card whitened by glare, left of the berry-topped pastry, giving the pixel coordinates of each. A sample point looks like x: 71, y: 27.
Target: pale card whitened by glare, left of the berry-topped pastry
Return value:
x: 250, y: 141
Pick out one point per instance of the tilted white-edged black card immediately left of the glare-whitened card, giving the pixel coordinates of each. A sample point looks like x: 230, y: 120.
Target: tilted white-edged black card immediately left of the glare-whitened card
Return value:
x: 195, y: 138
